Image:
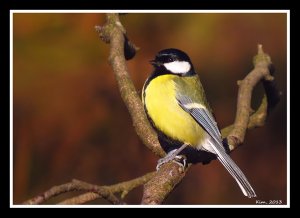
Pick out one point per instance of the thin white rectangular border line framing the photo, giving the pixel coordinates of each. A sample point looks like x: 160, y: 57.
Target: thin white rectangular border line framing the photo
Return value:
x: 287, y: 12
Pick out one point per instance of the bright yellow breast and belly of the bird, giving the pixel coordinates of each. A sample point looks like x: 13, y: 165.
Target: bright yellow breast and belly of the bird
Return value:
x: 167, y: 115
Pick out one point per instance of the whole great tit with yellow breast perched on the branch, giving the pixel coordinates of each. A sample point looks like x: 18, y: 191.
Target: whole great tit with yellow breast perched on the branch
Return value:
x: 176, y: 106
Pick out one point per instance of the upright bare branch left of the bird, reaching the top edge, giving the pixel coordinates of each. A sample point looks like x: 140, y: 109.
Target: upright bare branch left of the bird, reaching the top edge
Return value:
x: 113, y: 32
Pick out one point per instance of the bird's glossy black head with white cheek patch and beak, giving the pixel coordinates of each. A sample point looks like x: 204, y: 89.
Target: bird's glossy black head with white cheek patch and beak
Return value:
x: 173, y: 61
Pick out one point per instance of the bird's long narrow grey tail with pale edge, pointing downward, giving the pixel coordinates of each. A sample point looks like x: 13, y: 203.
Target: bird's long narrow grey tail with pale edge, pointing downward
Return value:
x: 235, y: 171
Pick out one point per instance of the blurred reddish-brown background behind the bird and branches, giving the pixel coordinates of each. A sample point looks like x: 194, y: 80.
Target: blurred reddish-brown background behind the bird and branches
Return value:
x: 70, y: 122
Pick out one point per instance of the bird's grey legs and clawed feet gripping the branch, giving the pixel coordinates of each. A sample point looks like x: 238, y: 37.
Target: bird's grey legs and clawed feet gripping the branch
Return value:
x: 173, y: 156
